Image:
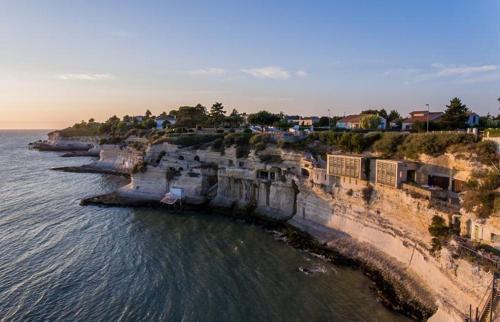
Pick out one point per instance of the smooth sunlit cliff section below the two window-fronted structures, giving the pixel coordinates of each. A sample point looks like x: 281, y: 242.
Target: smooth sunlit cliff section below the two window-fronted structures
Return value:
x: 396, y: 227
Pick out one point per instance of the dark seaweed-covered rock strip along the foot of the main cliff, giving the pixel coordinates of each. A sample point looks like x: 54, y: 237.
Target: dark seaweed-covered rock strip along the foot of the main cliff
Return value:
x: 391, y: 289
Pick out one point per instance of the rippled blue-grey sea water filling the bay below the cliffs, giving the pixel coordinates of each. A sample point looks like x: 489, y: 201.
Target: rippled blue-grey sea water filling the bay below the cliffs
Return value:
x: 61, y: 261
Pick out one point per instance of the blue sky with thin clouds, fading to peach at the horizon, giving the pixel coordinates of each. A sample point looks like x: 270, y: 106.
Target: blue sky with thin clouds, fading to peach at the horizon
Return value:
x: 66, y: 61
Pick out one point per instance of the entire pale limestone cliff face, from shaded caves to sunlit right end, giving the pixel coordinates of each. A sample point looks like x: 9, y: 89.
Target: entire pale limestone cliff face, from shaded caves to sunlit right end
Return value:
x: 389, y: 231
